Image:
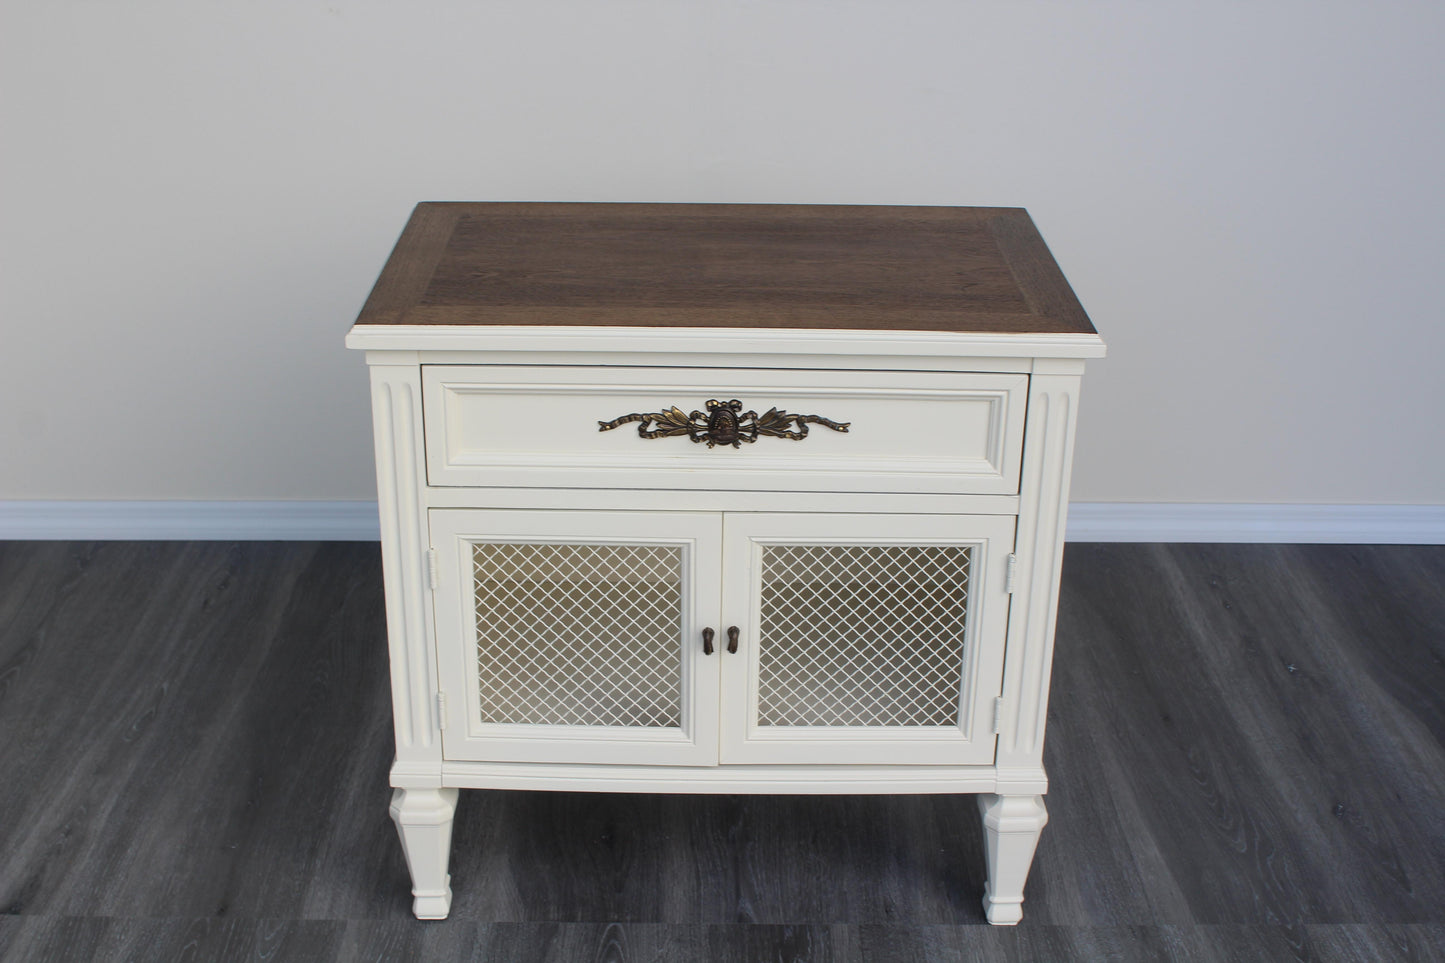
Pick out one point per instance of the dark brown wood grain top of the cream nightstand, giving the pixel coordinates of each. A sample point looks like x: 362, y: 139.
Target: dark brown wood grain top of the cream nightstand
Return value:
x: 726, y: 265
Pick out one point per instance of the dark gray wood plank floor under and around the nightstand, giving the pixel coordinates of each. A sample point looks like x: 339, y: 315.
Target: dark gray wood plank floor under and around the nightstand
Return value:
x: 1246, y: 754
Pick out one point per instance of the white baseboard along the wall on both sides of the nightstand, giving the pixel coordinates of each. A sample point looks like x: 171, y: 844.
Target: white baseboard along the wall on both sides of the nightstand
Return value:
x: 1089, y: 523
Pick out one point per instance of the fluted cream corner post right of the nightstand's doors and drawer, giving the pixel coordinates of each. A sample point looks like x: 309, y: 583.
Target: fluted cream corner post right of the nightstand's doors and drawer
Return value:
x: 1043, y: 514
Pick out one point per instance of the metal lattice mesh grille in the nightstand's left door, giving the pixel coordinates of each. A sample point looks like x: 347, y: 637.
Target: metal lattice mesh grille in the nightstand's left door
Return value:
x: 579, y: 635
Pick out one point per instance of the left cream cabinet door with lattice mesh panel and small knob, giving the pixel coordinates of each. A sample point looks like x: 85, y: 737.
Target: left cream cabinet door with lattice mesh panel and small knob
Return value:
x: 577, y: 637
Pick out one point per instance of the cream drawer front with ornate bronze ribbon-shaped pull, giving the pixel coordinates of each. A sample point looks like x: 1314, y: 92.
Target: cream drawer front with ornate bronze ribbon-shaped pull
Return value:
x: 833, y: 430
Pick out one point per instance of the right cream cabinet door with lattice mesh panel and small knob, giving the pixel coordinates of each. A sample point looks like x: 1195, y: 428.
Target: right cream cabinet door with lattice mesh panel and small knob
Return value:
x: 863, y: 638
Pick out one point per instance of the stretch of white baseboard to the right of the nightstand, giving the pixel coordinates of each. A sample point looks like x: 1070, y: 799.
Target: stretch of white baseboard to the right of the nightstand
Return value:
x: 1339, y: 524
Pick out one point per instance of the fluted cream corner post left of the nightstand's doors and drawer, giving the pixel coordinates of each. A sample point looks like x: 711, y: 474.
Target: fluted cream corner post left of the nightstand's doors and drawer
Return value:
x: 398, y: 424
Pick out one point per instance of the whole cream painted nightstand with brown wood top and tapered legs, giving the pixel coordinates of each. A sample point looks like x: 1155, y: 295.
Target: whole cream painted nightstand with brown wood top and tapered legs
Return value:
x: 722, y: 500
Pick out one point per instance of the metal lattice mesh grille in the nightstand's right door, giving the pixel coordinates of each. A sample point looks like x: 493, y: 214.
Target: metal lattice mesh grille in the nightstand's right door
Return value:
x: 862, y: 635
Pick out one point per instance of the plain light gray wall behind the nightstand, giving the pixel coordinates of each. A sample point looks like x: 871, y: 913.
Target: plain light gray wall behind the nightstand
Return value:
x: 196, y: 199
